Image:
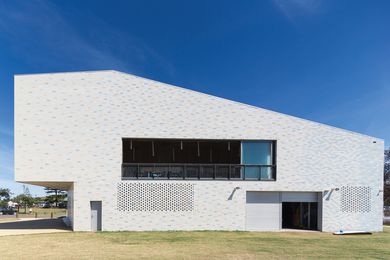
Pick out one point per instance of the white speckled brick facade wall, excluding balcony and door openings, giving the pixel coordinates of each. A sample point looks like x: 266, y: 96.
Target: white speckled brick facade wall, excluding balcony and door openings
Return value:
x: 69, y: 129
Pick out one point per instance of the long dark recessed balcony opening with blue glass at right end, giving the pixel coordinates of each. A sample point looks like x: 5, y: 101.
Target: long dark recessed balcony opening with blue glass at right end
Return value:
x: 172, y: 159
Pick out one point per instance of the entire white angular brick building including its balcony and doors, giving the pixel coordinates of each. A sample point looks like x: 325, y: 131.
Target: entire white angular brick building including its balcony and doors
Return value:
x: 136, y: 154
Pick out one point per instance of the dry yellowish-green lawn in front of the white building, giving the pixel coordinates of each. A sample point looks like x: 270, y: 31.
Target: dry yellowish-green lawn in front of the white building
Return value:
x: 195, y: 245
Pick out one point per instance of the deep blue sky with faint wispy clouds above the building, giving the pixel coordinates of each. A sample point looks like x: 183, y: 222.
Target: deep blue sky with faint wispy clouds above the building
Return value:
x: 327, y: 61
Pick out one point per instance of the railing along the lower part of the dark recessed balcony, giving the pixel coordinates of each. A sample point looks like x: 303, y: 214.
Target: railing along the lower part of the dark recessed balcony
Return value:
x: 163, y: 171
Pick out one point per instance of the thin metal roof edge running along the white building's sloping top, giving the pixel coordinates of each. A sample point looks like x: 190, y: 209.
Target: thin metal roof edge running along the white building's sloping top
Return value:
x: 209, y: 95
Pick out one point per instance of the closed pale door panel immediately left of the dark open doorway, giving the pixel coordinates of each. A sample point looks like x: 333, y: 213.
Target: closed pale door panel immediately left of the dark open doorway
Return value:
x: 262, y: 211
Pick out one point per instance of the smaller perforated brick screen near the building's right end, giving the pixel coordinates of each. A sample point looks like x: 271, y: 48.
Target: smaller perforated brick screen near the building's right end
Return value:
x: 355, y: 199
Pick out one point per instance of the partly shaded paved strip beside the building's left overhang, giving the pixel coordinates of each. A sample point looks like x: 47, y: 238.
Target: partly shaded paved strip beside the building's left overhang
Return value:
x: 32, y: 226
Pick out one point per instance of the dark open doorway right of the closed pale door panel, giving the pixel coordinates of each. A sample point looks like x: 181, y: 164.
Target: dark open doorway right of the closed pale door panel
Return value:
x: 300, y: 215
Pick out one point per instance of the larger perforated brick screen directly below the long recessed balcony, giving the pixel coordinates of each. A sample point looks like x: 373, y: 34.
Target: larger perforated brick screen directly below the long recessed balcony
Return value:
x: 155, y: 196
